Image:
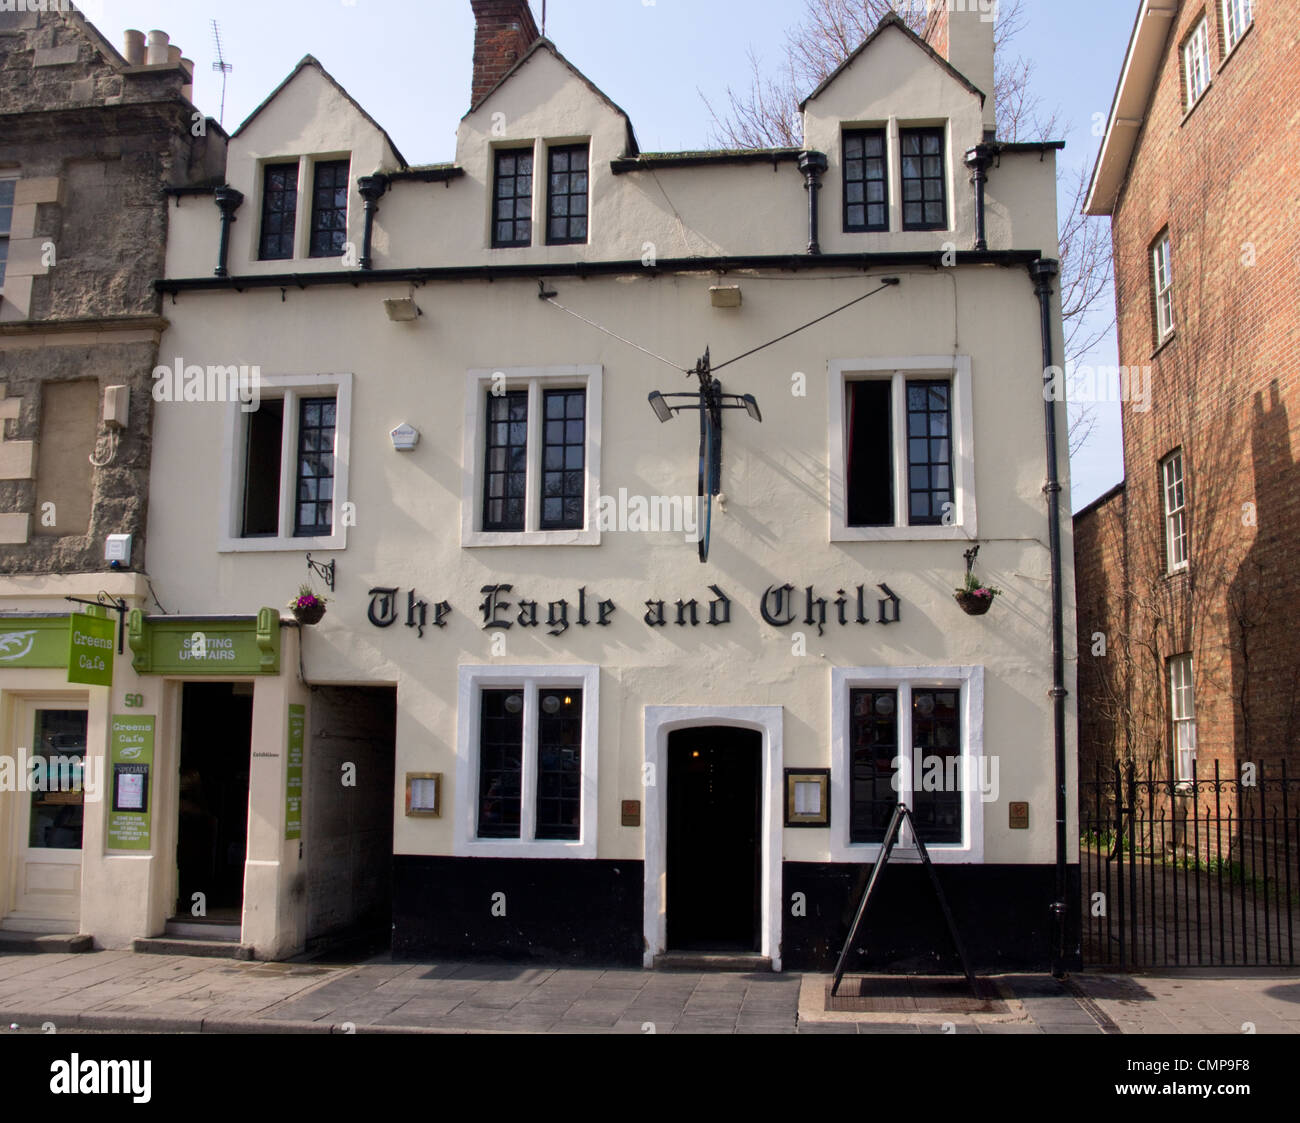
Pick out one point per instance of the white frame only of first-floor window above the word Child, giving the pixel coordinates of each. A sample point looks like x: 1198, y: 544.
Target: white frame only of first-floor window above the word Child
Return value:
x: 900, y: 371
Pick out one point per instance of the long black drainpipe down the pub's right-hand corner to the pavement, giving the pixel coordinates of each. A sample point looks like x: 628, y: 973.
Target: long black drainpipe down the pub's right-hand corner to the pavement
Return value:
x: 1043, y: 274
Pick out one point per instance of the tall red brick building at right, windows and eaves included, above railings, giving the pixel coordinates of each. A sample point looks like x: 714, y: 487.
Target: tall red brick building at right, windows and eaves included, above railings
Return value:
x: 1189, y: 586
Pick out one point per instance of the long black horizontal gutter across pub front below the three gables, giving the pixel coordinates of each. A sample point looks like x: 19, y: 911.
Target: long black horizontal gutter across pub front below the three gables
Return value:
x: 937, y: 259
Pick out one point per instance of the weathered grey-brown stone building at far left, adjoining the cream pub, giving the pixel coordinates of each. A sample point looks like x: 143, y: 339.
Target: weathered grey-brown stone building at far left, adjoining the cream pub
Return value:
x: 89, y: 141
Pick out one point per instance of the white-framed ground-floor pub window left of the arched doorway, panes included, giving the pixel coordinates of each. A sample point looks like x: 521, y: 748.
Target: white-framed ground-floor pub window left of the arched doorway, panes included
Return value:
x: 527, y: 761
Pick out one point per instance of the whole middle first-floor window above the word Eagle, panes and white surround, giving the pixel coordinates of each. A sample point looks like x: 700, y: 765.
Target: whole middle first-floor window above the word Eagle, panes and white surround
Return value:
x: 532, y: 443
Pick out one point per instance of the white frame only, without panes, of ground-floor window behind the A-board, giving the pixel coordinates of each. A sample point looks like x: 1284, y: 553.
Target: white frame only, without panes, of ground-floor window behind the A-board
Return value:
x: 970, y: 684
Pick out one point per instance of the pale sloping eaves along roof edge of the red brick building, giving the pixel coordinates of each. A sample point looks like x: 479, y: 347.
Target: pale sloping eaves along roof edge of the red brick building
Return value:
x: 1133, y: 99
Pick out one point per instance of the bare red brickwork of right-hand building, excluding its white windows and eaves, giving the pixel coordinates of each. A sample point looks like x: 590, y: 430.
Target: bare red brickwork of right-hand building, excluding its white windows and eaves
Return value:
x: 1225, y: 387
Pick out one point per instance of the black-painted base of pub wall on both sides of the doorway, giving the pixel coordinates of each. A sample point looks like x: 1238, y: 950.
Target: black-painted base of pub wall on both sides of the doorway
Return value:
x: 591, y: 912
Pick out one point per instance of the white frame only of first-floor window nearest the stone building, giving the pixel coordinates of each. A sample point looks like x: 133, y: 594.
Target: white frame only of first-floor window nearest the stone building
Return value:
x: 292, y: 389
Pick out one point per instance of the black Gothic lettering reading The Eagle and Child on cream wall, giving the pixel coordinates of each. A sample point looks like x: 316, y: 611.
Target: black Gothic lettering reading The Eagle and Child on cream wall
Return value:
x: 504, y: 608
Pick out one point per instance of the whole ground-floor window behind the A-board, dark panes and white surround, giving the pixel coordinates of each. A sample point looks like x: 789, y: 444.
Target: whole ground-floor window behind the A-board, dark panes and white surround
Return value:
x: 912, y: 736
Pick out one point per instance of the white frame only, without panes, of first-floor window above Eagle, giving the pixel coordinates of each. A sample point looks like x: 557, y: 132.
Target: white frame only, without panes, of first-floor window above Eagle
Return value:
x: 535, y: 380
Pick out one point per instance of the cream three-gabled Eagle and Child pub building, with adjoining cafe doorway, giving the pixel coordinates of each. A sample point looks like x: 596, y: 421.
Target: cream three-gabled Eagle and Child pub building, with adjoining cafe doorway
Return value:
x: 605, y: 674
